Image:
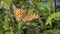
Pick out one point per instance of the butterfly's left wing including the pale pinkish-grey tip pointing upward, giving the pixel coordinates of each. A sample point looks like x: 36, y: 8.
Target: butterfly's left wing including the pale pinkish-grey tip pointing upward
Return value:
x: 19, y: 13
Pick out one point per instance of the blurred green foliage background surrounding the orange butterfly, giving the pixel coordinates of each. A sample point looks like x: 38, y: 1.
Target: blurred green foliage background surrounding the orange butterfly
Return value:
x: 48, y: 23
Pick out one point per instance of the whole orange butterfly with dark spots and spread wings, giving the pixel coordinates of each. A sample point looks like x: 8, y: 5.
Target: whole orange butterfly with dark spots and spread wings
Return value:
x: 23, y: 15
